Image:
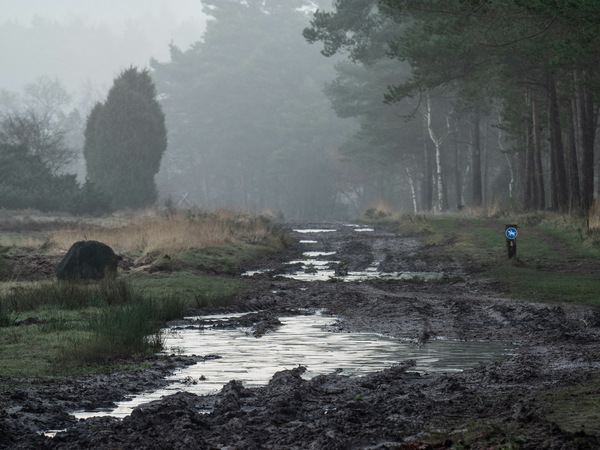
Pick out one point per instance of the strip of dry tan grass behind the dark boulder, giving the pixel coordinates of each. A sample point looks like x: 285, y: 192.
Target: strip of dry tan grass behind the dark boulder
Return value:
x: 154, y: 234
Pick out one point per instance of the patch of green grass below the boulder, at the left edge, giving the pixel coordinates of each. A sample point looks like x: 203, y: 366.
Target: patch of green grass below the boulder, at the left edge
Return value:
x: 73, y: 330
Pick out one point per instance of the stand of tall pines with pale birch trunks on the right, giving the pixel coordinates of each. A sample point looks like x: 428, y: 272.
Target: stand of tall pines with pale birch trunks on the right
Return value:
x: 464, y: 71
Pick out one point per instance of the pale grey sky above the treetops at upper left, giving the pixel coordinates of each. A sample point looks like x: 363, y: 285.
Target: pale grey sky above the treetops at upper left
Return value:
x: 90, y: 41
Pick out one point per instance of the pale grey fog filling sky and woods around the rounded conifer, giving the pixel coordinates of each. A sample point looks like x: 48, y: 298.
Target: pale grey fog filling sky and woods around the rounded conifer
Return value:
x: 275, y: 105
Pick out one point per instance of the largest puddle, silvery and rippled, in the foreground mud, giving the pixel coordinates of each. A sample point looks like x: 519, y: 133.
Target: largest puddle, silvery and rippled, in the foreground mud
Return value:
x: 301, y: 340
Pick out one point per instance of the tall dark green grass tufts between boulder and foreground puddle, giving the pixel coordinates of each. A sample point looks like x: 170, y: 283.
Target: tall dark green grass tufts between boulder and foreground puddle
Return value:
x: 115, y: 321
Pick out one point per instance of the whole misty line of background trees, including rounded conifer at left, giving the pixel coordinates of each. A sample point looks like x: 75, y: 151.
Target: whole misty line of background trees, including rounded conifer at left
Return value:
x: 428, y: 105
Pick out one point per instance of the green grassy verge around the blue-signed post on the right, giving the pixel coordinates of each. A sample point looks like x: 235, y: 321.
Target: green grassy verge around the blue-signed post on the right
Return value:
x: 558, y: 256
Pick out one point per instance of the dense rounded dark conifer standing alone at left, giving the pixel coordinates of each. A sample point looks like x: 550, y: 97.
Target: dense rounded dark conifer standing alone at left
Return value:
x: 125, y: 139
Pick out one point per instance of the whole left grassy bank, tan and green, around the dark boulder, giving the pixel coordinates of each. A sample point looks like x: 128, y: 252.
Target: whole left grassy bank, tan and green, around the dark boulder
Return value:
x: 180, y: 261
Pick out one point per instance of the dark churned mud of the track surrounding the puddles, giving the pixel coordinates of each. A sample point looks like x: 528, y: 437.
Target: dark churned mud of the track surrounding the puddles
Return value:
x: 557, y: 346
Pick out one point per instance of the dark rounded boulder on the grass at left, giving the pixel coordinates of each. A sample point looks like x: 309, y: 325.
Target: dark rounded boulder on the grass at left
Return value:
x: 88, y: 260
